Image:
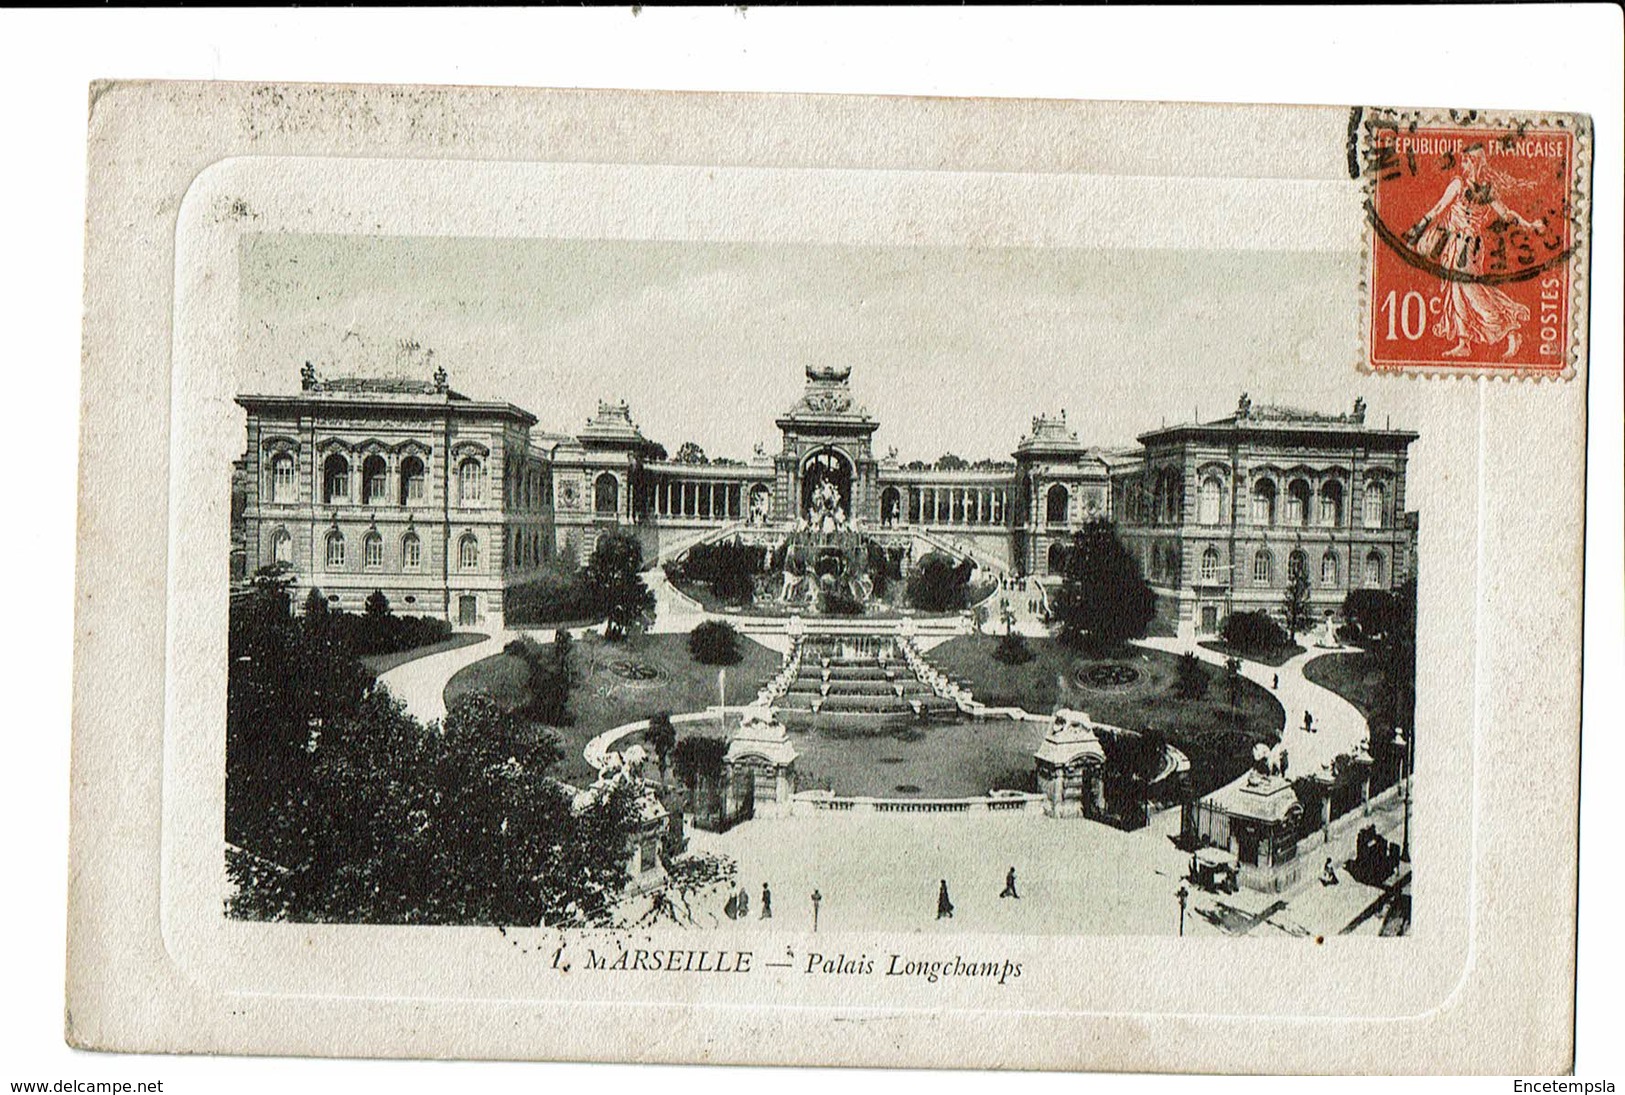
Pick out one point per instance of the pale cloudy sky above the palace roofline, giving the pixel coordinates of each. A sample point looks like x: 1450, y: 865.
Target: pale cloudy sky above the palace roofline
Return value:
x: 951, y: 348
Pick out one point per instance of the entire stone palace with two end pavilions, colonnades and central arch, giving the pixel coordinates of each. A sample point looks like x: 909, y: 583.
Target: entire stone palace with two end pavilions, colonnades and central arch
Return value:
x: 444, y: 503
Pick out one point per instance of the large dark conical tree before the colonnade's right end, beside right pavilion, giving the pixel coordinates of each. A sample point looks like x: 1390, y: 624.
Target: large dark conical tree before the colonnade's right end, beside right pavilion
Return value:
x: 1104, y: 600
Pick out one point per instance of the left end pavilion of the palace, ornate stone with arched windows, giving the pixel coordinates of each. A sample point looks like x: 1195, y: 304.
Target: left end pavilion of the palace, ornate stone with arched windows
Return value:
x: 402, y: 487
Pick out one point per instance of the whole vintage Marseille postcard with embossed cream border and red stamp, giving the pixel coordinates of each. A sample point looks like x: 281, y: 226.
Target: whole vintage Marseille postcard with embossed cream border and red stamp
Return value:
x: 813, y: 581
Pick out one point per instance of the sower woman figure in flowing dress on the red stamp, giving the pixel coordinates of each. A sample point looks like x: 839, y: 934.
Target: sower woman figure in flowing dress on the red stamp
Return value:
x: 1454, y: 235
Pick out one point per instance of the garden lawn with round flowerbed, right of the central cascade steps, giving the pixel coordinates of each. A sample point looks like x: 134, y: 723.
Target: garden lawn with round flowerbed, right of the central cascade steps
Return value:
x: 1218, y: 743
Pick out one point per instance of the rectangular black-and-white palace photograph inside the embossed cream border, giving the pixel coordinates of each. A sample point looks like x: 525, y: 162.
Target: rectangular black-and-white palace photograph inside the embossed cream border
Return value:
x: 1116, y: 667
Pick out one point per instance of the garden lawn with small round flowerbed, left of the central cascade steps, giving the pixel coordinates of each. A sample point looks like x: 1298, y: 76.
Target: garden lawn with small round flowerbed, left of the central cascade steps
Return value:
x: 604, y: 698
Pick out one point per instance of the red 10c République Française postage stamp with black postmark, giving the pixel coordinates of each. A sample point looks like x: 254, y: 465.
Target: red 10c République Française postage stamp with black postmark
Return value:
x: 1475, y: 245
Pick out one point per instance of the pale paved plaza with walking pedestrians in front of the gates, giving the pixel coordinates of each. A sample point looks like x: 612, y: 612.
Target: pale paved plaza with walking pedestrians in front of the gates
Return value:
x: 1075, y: 878
